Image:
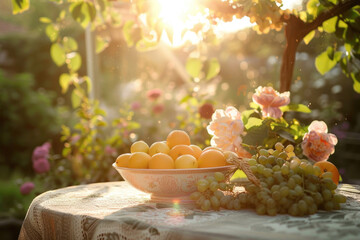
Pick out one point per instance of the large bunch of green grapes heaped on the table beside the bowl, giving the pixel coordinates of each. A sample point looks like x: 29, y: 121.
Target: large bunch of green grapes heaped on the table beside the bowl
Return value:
x: 288, y: 185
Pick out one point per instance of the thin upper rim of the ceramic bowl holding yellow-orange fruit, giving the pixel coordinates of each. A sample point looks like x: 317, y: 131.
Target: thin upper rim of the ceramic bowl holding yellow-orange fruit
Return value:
x: 172, y: 171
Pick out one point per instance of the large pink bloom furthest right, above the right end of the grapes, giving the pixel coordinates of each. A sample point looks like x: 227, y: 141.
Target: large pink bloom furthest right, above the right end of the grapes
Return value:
x: 317, y: 144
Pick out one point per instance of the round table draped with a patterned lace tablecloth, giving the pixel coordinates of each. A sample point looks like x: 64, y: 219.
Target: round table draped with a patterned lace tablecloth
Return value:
x: 115, y: 210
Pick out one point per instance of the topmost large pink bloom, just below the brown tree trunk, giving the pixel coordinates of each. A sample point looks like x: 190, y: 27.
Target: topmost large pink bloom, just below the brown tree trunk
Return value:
x: 270, y: 101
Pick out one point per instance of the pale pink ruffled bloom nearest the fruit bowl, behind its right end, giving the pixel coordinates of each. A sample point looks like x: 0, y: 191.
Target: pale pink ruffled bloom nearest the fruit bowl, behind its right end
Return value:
x: 227, y: 128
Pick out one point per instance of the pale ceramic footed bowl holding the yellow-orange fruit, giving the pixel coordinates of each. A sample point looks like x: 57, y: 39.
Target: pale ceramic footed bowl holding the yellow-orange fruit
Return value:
x: 168, y: 185
